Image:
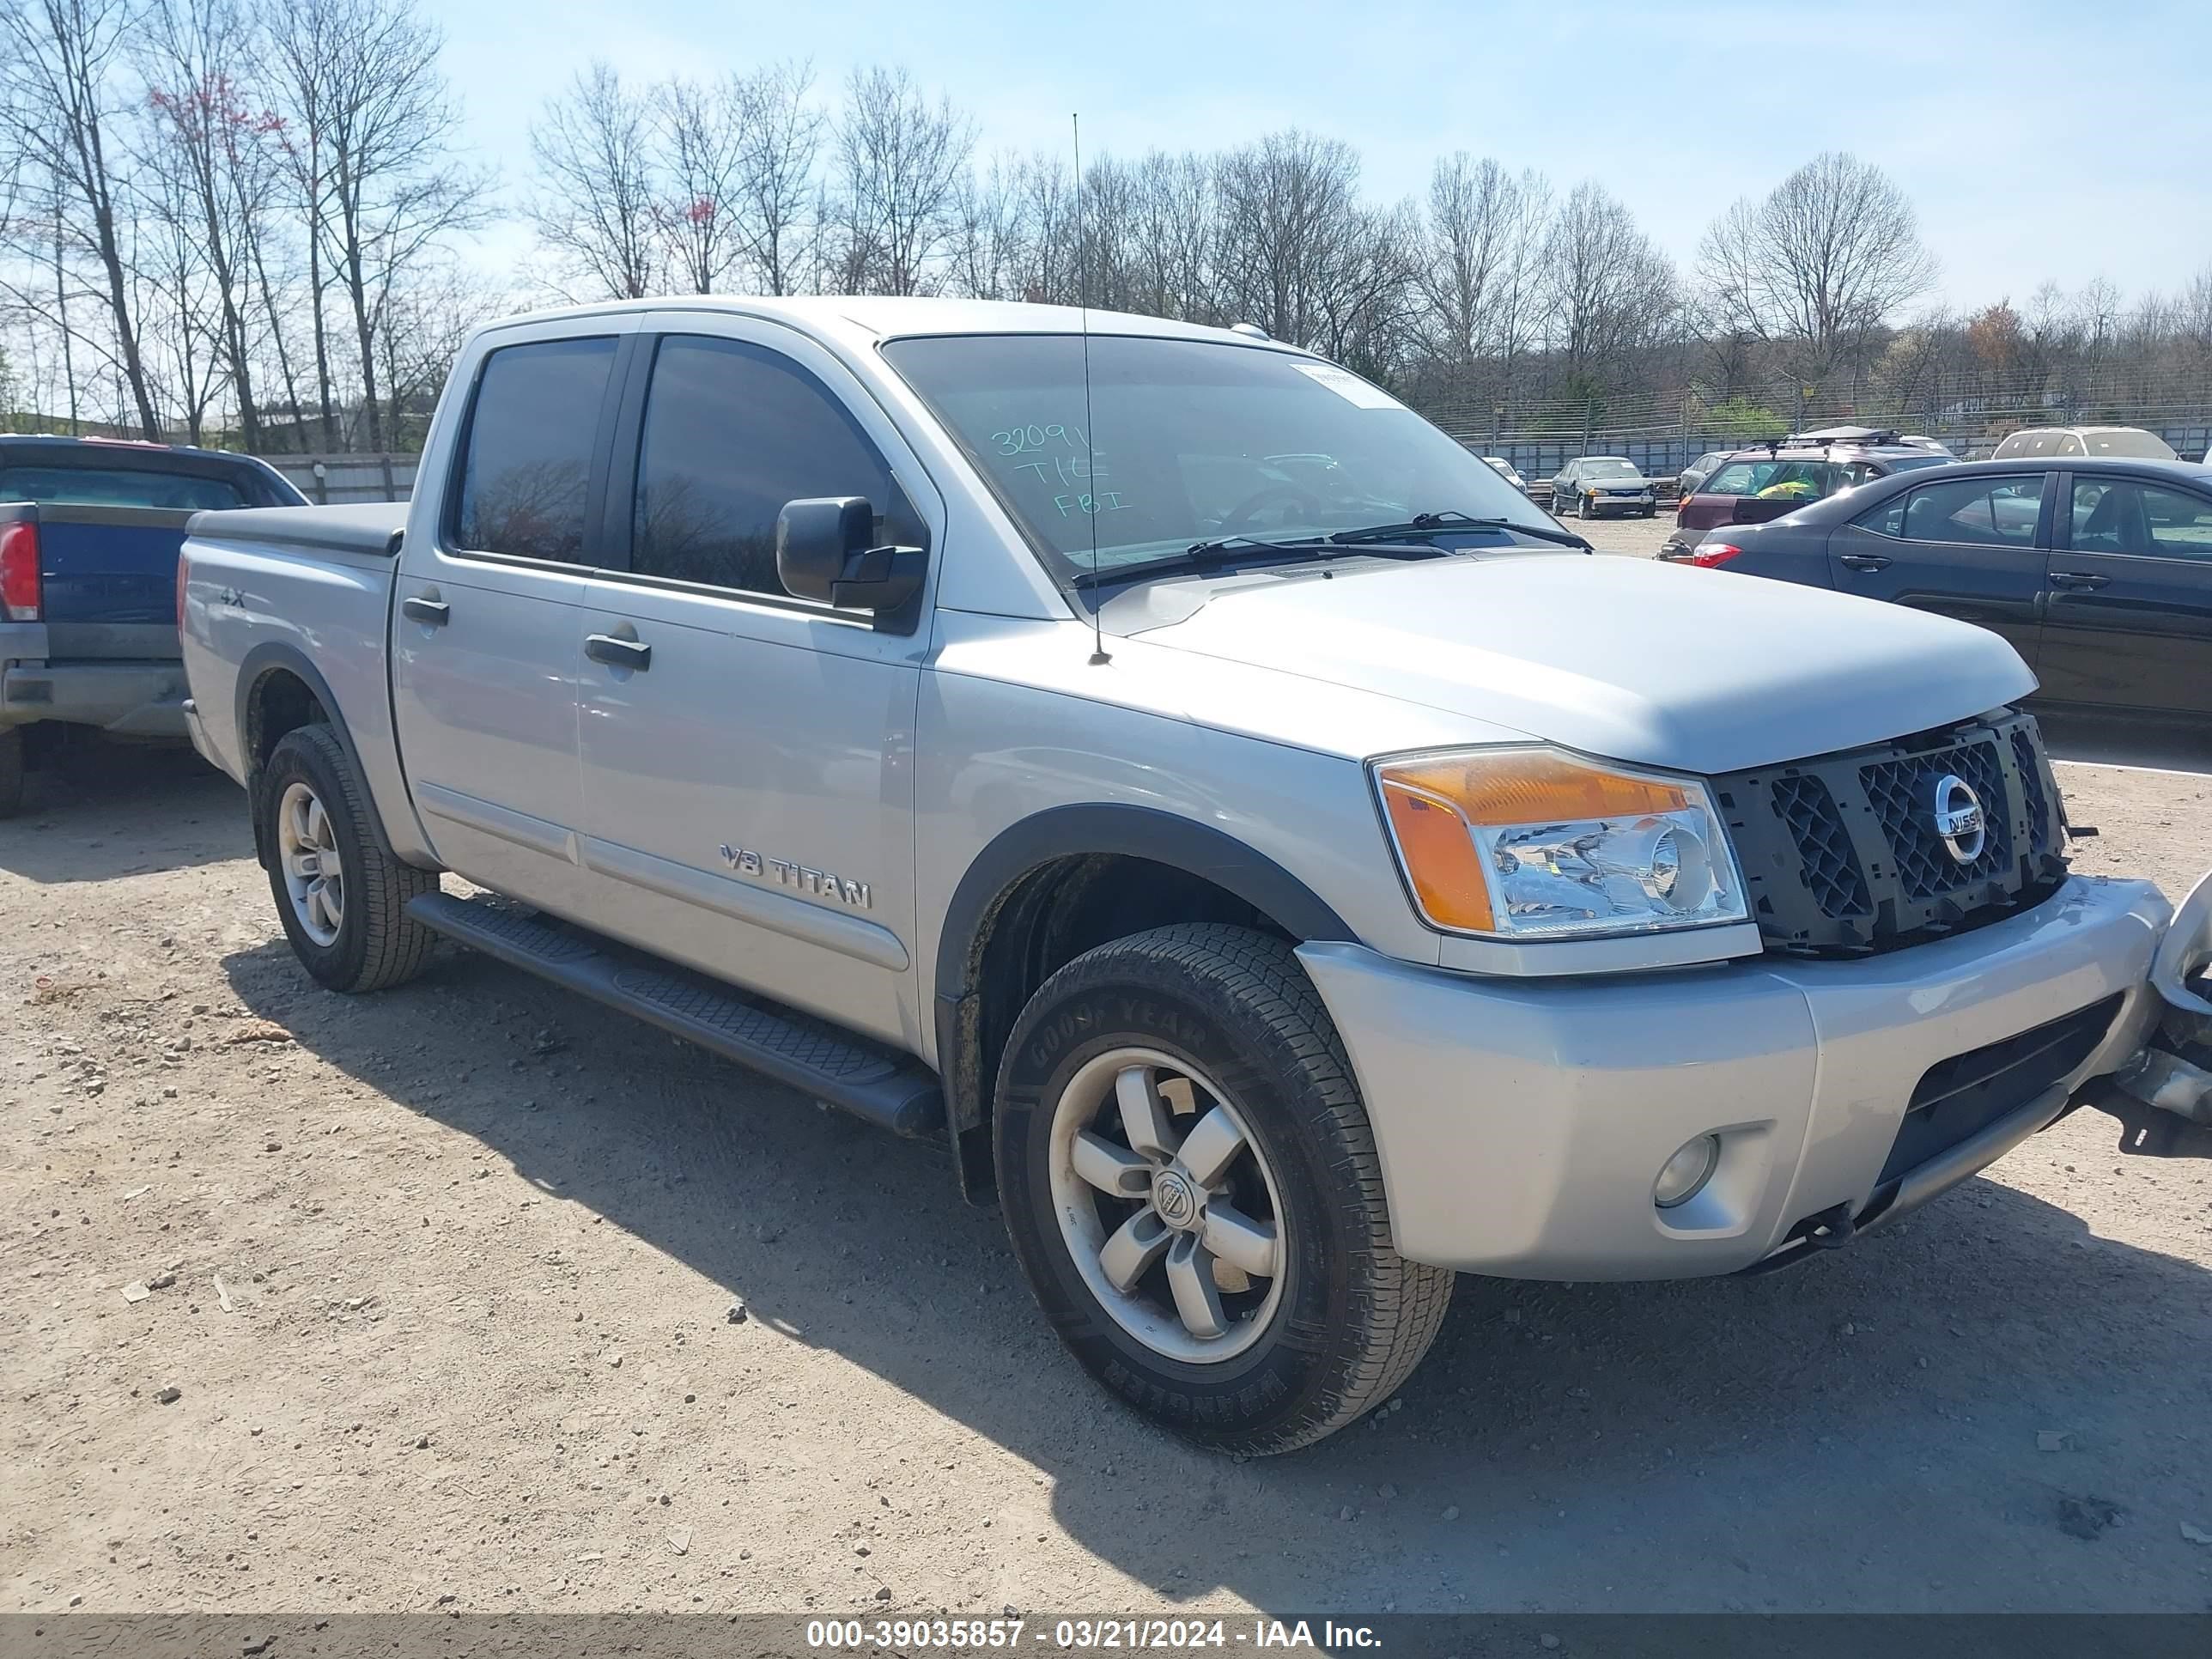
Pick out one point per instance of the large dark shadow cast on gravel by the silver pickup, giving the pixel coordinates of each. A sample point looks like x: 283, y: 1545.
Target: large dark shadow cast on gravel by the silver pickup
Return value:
x: 1861, y: 1432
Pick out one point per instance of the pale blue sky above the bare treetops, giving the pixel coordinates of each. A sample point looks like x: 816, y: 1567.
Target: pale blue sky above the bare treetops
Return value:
x: 2036, y: 140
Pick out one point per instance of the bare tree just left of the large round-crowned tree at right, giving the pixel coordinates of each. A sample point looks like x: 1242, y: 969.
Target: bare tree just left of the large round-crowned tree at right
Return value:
x: 1609, y: 289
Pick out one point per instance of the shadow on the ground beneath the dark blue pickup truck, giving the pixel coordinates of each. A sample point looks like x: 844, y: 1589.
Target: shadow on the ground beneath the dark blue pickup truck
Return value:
x: 121, y: 811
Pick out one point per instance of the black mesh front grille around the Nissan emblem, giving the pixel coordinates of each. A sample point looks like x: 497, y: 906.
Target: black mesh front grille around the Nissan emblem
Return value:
x: 1841, y: 853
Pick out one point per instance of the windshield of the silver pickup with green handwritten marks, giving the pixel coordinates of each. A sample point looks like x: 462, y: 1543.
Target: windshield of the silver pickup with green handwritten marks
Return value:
x: 1189, y: 441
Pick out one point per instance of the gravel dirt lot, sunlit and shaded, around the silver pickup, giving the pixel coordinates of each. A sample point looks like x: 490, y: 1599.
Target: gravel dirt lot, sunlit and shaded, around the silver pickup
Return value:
x: 441, y: 1284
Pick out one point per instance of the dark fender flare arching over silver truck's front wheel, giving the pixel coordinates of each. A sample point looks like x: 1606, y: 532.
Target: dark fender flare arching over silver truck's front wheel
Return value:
x: 1072, y: 833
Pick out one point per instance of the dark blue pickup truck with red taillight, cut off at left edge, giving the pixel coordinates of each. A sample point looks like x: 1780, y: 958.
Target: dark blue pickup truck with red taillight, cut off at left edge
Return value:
x: 90, y: 539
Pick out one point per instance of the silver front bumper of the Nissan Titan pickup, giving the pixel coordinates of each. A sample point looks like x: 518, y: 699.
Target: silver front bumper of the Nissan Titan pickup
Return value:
x: 1521, y: 1123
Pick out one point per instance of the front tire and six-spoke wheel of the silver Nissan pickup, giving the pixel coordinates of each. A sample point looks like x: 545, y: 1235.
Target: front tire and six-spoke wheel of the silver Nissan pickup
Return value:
x: 1193, y: 1191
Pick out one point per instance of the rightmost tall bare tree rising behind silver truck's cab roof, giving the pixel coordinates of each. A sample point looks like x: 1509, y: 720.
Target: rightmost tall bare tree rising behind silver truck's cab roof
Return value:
x: 899, y: 165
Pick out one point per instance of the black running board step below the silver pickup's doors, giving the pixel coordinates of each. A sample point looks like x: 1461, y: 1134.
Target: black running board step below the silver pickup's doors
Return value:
x: 881, y: 1085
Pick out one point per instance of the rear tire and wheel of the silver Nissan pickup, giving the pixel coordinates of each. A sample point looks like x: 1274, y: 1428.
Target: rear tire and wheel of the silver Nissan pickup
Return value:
x: 340, y: 895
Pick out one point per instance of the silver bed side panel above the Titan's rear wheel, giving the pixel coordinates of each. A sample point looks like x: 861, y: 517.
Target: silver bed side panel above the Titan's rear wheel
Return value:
x: 302, y: 592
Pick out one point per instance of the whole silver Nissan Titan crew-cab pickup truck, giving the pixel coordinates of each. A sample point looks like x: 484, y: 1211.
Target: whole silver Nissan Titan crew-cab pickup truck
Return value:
x: 1269, y: 855
